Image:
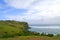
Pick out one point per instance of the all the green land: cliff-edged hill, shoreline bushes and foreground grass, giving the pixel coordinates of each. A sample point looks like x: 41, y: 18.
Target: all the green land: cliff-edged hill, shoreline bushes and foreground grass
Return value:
x: 15, y: 30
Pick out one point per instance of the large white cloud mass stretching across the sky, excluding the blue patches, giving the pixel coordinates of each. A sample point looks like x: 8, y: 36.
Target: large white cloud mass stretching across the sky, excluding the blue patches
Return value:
x: 39, y: 11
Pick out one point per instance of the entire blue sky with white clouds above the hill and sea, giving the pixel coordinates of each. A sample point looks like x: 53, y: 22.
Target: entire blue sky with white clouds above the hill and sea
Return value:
x: 31, y: 11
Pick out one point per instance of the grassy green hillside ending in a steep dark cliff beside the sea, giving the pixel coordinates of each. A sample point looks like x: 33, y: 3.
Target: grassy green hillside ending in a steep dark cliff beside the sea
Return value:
x: 12, y: 28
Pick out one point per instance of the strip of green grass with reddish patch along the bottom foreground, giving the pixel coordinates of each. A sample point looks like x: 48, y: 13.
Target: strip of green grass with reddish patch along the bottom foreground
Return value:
x: 32, y: 38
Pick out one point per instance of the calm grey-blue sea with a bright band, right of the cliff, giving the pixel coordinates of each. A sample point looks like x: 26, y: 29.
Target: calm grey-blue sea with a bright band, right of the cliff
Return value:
x: 46, y: 29
